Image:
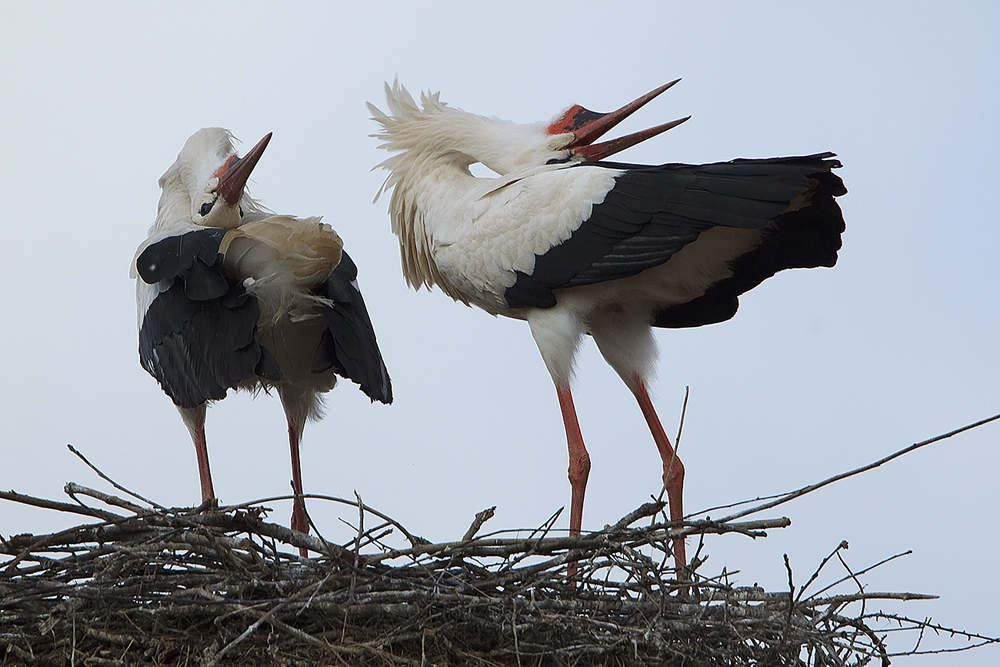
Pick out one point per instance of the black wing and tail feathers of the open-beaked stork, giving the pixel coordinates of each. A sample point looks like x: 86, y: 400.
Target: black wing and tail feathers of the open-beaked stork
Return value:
x: 654, y: 211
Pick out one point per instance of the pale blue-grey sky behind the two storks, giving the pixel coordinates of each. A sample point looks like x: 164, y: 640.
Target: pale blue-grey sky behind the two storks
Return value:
x: 820, y: 371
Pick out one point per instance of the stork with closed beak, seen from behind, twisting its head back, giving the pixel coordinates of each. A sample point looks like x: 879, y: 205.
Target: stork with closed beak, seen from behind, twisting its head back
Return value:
x: 231, y: 296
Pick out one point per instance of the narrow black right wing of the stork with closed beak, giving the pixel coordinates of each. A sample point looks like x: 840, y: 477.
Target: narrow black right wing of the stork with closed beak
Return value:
x: 349, y: 345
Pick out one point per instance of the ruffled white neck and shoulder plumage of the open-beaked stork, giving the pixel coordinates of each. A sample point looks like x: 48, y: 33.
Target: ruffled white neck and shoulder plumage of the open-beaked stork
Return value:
x: 468, y: 234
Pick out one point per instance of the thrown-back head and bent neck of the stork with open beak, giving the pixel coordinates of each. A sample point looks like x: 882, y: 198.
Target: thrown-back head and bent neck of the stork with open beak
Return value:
x: 437, y: 133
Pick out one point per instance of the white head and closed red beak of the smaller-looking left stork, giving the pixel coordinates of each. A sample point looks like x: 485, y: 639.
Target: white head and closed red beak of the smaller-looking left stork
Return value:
x: 206, y: 184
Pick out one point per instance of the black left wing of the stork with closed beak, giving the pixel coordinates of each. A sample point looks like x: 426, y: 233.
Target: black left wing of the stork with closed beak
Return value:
x: 198, y: 337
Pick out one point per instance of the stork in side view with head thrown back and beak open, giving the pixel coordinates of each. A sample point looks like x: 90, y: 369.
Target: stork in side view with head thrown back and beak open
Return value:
x: 579, y: 246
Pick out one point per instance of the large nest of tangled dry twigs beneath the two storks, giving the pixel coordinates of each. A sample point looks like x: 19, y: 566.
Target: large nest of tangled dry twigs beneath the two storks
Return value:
x: 149, y: 585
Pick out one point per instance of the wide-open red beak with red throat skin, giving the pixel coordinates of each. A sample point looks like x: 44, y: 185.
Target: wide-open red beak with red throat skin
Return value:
x: 588, y: 126
